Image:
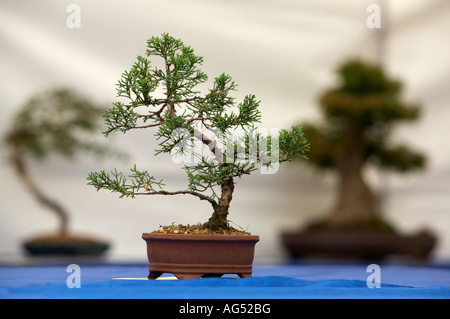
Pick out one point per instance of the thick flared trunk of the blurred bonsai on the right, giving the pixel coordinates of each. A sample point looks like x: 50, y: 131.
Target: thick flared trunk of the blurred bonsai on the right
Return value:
x: 355, y: 203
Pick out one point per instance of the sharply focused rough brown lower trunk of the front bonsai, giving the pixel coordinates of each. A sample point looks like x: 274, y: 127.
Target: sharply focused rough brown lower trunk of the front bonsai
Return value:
x: 218, y: 219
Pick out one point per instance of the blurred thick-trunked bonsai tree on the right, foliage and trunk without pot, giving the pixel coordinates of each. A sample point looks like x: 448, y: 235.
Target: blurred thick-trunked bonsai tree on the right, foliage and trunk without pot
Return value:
x: 359, y: 114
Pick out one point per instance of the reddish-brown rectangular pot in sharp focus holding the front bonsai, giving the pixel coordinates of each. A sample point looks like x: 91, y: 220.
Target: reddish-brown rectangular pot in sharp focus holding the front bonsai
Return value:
x: 195, y: 256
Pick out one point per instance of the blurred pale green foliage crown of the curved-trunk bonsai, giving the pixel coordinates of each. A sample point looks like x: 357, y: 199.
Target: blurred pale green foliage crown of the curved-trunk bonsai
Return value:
x: 56, y: 122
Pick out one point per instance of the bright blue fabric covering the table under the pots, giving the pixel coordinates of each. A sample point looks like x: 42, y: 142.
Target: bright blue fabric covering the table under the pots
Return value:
x: 268, y: 282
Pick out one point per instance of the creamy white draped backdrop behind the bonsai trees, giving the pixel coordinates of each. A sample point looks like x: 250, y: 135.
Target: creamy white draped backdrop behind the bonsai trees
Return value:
x: 284, y: 52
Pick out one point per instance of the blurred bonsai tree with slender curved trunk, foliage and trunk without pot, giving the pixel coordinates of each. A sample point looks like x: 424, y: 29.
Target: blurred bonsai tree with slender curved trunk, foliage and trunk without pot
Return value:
x: 56, y: 122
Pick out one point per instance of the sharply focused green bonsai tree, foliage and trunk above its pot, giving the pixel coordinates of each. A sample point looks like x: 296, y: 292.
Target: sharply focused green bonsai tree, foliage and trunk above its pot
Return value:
x: 189, y: 122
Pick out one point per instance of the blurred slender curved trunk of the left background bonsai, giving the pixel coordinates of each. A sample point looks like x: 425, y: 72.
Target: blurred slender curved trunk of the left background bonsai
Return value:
x: 20, y: 168
